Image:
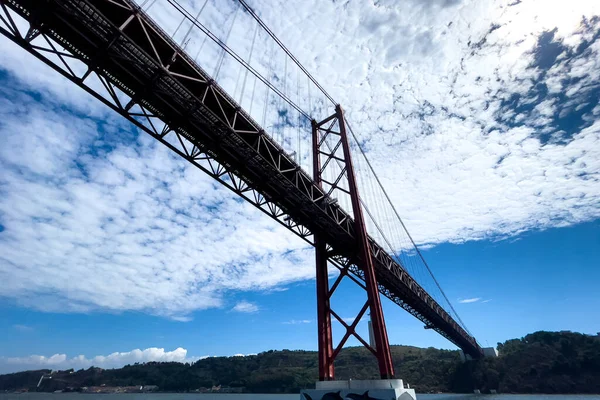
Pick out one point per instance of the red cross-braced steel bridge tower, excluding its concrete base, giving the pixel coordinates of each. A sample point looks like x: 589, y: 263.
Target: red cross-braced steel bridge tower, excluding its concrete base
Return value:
x: 335, y: 125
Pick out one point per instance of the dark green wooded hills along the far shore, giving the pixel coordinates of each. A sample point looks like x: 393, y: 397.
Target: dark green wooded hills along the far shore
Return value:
x: 542, y: 362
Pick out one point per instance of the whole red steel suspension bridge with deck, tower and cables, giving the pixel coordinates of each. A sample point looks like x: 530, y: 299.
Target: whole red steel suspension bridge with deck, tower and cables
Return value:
x: 120, y: 52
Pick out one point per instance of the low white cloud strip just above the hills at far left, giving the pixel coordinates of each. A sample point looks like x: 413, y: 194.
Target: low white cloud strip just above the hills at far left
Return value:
x: 113, y: 360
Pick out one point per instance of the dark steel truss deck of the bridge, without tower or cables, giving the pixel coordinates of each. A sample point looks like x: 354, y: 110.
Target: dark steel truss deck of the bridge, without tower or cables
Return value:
x: 118, y: 42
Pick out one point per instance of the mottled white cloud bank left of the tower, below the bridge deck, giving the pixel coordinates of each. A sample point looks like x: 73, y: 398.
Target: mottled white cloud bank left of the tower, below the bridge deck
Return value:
x: 159, y: 236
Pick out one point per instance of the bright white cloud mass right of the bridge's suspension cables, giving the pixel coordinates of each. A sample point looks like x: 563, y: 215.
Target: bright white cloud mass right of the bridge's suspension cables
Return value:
x: 424, y: 85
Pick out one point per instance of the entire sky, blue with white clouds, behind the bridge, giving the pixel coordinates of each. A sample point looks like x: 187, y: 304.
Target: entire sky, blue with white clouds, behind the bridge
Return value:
x: 482, y: 119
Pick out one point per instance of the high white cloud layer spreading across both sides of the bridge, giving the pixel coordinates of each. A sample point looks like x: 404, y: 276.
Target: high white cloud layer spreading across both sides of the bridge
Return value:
x: 428, y: 88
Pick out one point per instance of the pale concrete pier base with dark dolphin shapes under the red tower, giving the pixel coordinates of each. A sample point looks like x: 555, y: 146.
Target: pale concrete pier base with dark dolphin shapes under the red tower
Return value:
x: 380, y: 389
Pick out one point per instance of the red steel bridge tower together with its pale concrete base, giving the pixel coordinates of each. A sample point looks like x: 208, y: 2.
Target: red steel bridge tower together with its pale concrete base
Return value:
x: 330, y: 145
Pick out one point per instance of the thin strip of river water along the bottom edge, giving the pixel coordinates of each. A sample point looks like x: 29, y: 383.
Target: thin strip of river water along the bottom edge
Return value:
x: 168, y: 396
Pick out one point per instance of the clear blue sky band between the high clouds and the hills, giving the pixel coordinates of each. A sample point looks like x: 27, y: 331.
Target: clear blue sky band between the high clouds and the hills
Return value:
x: 537, y: 281
